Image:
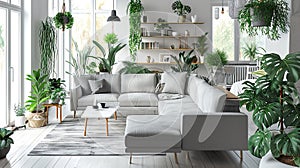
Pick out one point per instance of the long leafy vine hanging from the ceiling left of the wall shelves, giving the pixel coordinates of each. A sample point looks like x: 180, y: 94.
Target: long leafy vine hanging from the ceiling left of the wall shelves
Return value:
x: 134, y: 9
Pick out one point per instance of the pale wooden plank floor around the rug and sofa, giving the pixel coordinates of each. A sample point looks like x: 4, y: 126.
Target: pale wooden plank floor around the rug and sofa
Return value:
x: 25, y: 140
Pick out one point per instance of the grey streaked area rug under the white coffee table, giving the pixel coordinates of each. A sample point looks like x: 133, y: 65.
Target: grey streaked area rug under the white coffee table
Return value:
x: 67, y: 139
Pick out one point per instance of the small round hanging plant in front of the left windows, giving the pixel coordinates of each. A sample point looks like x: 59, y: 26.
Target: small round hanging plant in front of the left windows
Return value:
x: 63, y: 19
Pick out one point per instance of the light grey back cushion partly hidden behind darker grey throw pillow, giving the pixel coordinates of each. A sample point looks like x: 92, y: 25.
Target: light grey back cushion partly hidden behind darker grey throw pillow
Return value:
x: 112, y: 82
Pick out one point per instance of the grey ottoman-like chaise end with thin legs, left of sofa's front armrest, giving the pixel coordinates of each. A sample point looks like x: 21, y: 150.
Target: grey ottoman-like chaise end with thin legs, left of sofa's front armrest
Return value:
x: 152, y: 134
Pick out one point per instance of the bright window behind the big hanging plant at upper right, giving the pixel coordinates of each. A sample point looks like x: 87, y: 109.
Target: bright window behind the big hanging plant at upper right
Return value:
x: 227, y: 36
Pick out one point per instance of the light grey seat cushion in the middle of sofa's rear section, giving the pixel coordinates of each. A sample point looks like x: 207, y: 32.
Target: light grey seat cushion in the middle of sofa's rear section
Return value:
x: 138, y: 100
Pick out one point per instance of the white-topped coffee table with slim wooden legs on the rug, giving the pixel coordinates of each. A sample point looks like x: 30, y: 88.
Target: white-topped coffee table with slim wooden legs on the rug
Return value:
x: 106, y: 113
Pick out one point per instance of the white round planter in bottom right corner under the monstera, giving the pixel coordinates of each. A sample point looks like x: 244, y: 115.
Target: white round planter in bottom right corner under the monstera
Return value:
x: 269, y: 161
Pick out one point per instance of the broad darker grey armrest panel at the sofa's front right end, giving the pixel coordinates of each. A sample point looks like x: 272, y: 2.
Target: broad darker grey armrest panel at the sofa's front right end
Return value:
x: 214, y: 131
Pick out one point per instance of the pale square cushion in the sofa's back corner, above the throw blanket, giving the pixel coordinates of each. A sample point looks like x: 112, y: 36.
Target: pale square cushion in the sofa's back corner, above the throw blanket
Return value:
x: 174, y: 82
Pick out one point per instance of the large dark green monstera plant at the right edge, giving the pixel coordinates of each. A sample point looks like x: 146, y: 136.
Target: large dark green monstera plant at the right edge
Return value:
x: 274, y: 101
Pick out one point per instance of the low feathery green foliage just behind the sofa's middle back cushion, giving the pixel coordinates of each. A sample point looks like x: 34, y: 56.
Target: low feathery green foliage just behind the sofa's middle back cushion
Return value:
x: 133, y: 68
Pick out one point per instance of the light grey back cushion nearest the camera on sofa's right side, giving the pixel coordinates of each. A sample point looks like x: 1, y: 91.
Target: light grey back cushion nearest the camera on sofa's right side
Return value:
x: 210, y: 98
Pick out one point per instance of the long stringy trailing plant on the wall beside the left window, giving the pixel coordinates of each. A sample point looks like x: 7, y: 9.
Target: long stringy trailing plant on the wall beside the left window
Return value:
x: 47, y: 44
